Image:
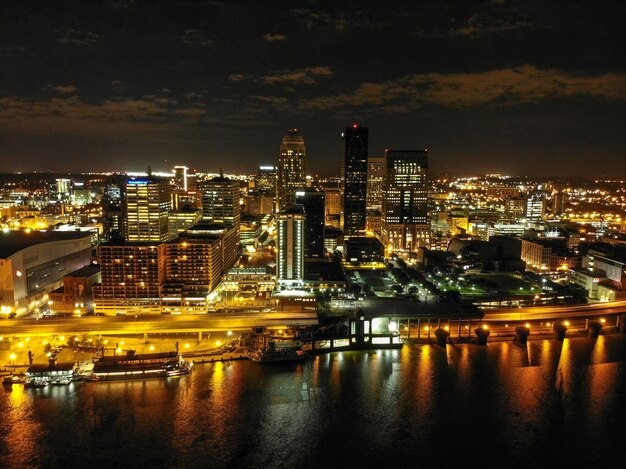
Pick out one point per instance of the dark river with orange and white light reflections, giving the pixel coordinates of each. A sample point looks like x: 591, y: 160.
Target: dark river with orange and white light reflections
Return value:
x: 550, y: 404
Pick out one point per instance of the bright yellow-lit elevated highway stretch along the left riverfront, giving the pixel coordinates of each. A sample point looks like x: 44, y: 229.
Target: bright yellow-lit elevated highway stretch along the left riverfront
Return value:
x: 118, y: 325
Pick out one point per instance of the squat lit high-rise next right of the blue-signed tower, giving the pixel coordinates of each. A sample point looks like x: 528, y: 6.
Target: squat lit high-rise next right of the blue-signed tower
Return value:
x: 220, y: 202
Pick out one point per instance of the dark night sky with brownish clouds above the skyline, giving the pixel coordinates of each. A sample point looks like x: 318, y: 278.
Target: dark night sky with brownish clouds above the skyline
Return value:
x: 517, y: 87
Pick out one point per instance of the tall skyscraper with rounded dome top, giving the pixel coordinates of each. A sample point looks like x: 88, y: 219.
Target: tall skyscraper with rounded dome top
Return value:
x: 291, y: 167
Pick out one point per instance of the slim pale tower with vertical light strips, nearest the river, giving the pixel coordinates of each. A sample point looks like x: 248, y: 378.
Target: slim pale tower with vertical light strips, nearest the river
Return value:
x: 290, y: 246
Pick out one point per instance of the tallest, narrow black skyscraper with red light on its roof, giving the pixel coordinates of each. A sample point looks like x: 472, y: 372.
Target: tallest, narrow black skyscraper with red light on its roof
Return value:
x: 354, y: 179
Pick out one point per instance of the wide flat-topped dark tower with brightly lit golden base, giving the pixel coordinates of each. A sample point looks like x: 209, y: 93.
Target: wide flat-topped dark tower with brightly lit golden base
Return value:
x: 405, y: 222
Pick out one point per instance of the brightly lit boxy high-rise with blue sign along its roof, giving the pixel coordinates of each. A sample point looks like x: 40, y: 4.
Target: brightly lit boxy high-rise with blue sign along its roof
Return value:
x: 147, y: 206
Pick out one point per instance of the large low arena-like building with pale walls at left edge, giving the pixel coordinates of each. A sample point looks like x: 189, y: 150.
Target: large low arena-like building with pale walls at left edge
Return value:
x: 33, y: 264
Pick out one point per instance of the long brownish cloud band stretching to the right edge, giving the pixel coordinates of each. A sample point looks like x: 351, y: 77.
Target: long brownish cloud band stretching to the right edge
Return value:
x: 496, y: 87
